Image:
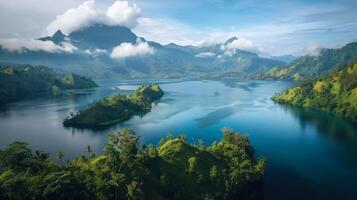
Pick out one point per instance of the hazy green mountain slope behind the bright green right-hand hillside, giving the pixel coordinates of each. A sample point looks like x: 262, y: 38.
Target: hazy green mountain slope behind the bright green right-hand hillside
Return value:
x: 311, y: 66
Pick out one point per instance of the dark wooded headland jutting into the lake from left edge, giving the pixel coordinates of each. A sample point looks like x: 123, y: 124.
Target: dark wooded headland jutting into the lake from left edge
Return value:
x: 19, y: 82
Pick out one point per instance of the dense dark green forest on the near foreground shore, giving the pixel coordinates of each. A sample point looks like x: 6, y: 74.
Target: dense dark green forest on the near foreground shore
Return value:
x: 173, y: 169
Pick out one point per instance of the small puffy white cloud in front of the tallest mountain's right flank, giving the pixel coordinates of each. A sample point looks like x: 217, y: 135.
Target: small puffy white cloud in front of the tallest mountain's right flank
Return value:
x: 125, y: 50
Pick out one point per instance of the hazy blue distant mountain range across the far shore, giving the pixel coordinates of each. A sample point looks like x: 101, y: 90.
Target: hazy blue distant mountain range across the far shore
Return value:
x: 93, y: 52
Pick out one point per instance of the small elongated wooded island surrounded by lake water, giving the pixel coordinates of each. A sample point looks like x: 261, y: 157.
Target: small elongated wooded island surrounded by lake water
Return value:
x: 116, y: 108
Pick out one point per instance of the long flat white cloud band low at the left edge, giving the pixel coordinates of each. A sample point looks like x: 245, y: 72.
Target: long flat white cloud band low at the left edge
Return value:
x: 23, y: 45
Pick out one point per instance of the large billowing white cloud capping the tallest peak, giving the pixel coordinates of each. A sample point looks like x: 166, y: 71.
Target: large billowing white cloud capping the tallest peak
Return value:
x: 87, y: 14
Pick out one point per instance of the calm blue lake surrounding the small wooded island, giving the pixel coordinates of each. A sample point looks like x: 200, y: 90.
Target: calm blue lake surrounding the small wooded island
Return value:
x: 311, y: 155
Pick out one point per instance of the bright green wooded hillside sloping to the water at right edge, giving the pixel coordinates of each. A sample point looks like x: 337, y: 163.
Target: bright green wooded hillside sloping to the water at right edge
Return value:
x: 335, y: 92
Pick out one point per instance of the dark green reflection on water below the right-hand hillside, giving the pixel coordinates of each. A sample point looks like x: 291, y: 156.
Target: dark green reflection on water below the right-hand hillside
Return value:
x: 334, y: 127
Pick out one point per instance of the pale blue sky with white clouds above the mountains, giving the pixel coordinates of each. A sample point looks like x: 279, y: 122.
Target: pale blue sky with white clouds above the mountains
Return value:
x: 274, y: 27
